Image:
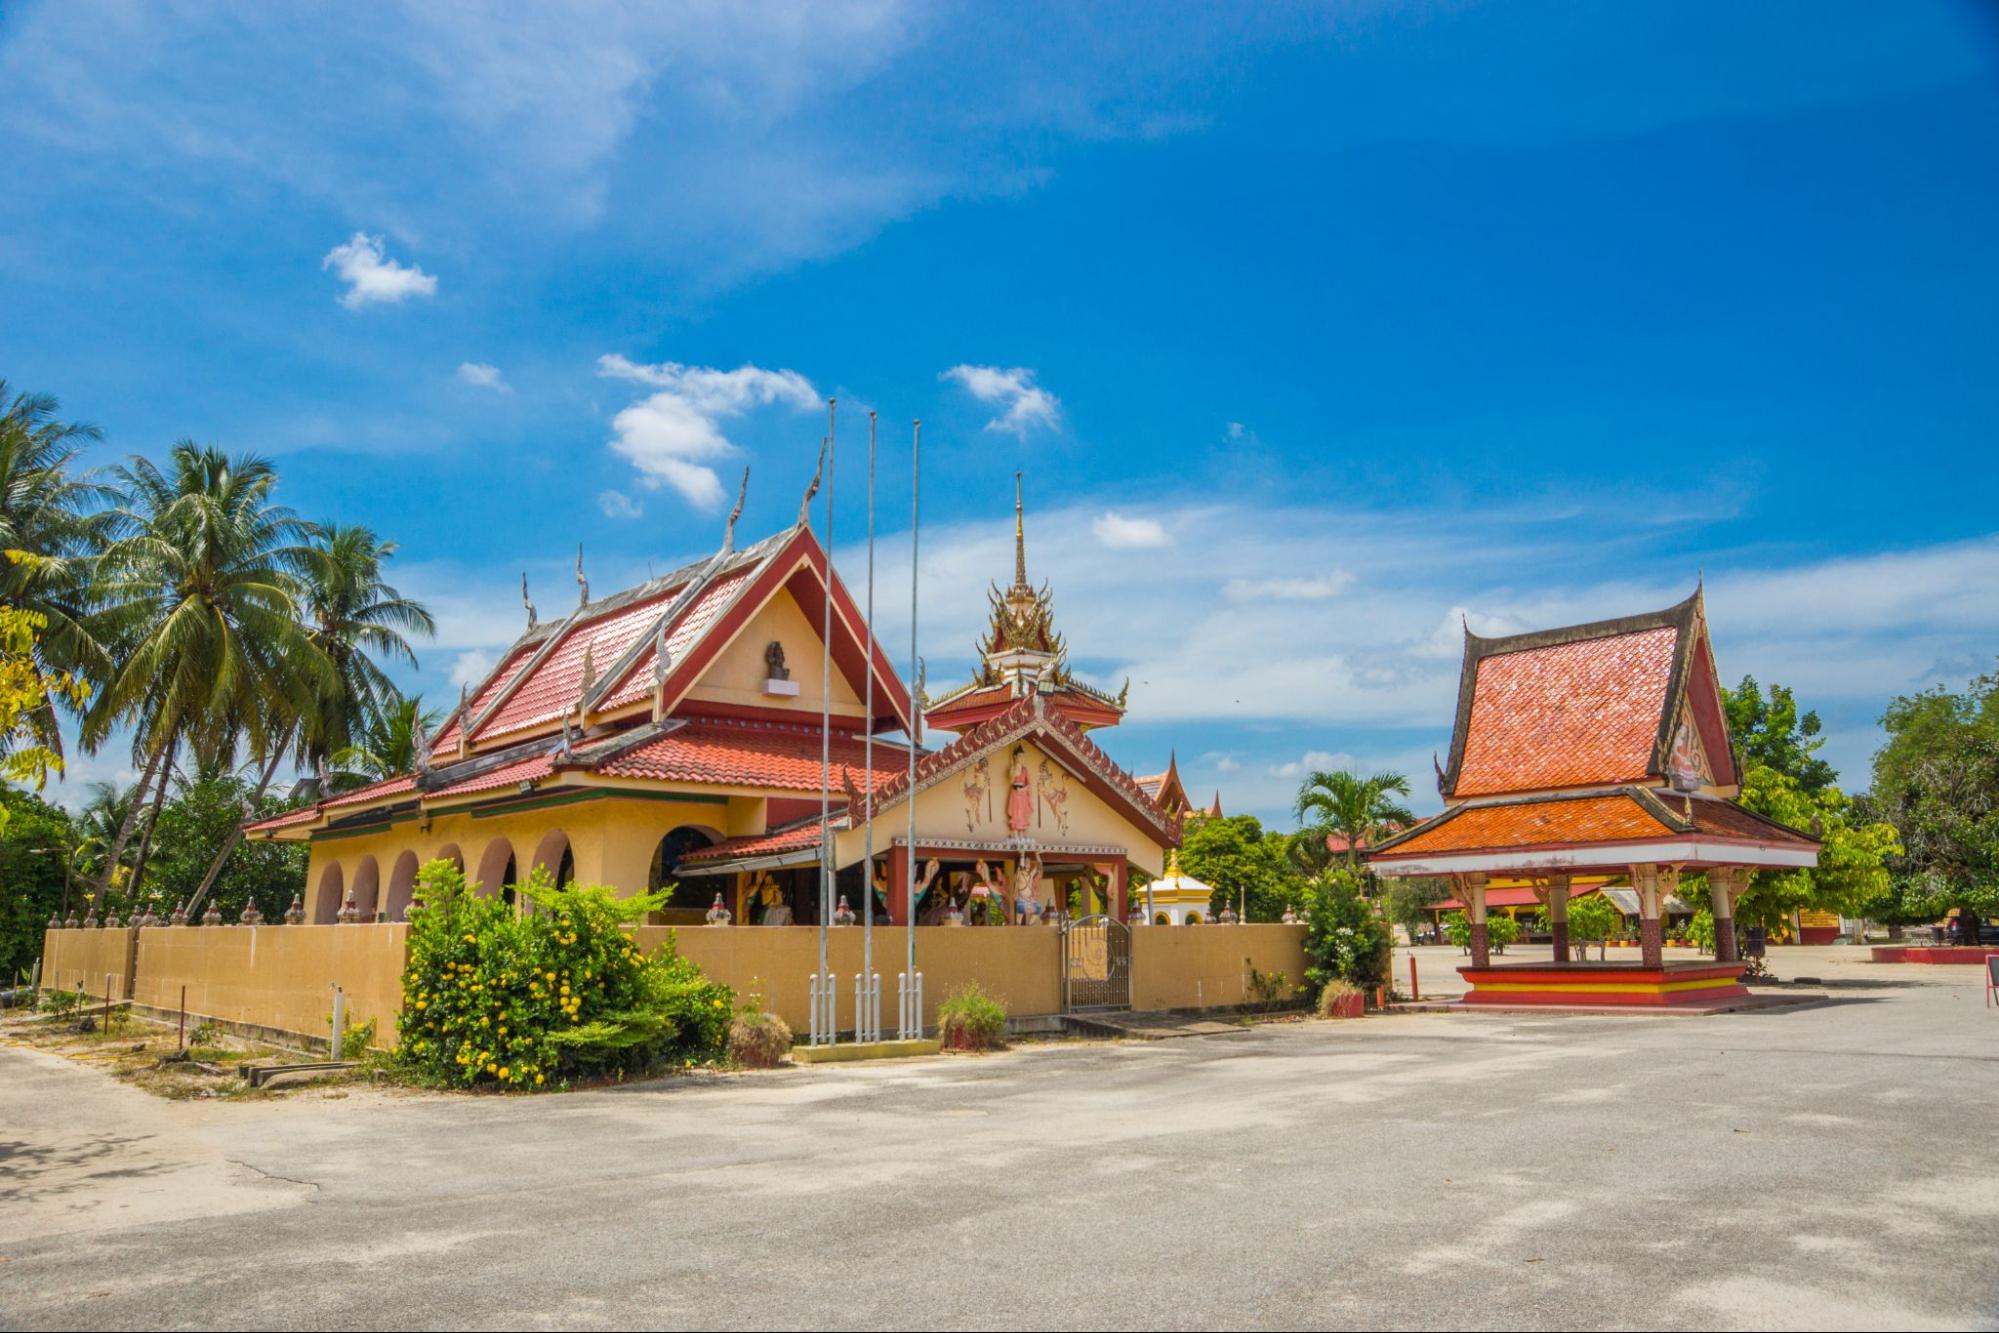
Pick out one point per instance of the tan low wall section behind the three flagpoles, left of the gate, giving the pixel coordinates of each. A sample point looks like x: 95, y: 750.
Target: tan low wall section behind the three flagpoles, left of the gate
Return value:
x: 1022, y: 966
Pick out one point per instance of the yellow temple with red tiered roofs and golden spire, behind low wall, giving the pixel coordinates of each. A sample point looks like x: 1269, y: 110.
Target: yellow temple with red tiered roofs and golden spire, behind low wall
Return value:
x: 673, y: 734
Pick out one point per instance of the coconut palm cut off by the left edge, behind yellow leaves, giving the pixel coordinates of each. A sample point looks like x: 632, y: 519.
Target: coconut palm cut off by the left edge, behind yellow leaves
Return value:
x: 57, y: 519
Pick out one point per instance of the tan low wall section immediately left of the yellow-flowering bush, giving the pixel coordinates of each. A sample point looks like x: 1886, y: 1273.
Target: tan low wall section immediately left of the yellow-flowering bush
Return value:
x: 277, y: 976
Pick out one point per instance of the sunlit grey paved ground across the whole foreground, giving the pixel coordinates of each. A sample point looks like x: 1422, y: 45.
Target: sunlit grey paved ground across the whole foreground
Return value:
x: 1812, y: 1168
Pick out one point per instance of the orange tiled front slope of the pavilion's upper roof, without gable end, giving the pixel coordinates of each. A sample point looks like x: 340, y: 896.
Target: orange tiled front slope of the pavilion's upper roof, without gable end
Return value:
x: 1566, y: 714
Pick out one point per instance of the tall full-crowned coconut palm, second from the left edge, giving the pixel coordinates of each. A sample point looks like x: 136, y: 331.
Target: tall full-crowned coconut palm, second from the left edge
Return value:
x: 203, y: 591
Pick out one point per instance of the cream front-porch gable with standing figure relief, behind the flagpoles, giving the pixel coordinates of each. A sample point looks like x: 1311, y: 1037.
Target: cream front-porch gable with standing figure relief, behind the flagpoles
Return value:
x: 973, y: 806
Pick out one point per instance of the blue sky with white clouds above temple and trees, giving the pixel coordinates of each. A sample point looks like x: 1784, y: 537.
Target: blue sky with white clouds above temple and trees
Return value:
x: 1314, y: 329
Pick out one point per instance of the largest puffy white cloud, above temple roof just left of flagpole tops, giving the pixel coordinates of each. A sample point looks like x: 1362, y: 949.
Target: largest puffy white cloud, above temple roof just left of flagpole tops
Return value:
x: 675, y: 435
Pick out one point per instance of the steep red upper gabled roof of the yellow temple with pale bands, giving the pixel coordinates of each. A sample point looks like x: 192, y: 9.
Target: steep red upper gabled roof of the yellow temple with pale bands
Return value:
x: 603, y: 657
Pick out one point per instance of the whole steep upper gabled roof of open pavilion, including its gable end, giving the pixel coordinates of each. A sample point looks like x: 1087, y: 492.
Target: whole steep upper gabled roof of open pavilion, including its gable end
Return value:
x: 1586, y: 706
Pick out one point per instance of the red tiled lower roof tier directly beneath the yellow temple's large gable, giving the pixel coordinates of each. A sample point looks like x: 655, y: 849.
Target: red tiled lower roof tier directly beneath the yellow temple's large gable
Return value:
x: 757, y: 754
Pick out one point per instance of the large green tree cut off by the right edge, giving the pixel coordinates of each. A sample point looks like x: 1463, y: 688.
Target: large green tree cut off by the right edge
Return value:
x: 1938, y: 780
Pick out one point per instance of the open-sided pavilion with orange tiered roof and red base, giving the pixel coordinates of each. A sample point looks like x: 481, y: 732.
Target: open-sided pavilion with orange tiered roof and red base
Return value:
x: 1586, y: 752
